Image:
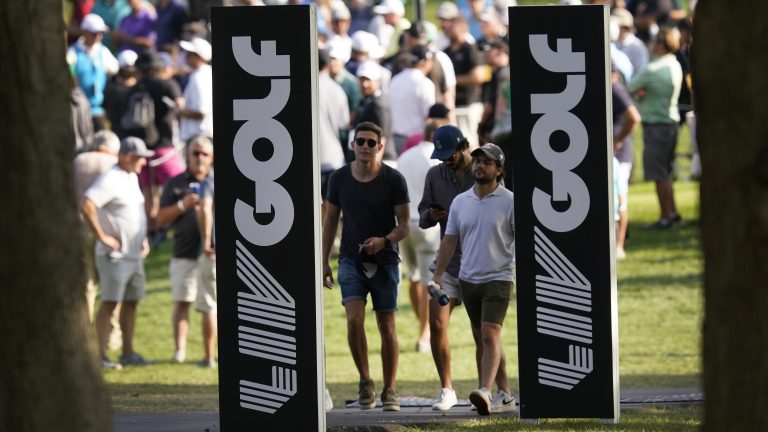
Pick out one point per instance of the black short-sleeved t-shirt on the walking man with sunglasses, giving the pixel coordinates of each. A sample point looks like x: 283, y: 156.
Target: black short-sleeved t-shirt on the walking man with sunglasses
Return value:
x: 368, y: 208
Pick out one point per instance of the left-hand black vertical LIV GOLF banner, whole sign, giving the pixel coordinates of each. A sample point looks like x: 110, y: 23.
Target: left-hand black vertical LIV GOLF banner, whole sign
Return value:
x: 267, y: 218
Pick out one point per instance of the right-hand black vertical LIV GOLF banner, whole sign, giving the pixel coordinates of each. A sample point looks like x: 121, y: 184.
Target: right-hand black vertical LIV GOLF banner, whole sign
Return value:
x: 566, y: 300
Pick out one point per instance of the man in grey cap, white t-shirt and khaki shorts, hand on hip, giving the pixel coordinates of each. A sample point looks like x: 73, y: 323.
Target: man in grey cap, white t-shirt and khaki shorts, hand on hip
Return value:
x: 113, y: 208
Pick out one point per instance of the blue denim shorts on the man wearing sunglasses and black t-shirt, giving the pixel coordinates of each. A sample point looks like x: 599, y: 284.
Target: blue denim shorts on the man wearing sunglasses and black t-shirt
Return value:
x: 356, y: 286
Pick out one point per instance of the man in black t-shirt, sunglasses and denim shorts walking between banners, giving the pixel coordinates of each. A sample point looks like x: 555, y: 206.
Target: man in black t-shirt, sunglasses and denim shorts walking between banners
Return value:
x: 374, y: 199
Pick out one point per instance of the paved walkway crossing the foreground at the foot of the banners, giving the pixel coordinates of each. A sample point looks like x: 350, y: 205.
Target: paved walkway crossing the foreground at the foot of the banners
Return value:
x: 354, y: 420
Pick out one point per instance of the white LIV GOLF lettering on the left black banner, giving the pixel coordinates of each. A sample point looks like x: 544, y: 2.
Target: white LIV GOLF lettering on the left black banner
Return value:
x: 266, y: 310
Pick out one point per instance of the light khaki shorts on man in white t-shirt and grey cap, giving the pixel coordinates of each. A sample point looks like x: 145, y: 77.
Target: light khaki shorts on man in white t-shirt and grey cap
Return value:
x: 120, y: 280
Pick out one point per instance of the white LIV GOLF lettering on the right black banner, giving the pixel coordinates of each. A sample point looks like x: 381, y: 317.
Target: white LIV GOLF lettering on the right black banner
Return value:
x: 562, y: 290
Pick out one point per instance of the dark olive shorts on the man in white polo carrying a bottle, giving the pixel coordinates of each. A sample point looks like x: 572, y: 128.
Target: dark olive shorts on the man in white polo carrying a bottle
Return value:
x: 486, y: 302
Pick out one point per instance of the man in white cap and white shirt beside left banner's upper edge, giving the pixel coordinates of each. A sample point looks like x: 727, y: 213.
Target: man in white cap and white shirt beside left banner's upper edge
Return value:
x: 196, y: 118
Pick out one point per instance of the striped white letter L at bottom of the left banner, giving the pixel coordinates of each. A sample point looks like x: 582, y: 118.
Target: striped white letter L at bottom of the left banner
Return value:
x: 268, y: 399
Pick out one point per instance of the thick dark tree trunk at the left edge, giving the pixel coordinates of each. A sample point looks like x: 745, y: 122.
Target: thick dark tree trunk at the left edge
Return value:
x: 49, y: 373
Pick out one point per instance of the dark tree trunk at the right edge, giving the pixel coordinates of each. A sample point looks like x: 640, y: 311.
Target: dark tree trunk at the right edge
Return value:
x: 730, y: 89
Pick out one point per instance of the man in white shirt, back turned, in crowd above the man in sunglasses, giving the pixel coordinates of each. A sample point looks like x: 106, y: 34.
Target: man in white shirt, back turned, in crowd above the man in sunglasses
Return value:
x: 411, y: 94
